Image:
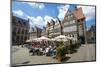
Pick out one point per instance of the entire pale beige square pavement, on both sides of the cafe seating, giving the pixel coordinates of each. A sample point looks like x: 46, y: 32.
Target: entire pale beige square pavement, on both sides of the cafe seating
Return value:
x: 22, y: 56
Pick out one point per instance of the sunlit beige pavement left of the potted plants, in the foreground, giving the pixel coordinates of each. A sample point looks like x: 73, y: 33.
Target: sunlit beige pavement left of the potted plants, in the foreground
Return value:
x: 23, y: 57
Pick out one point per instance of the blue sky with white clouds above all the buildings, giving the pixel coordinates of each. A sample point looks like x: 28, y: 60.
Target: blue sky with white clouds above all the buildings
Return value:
x: 40, y: 13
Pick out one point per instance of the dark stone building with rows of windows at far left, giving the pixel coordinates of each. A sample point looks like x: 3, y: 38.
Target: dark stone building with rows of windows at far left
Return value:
x: 20, y: 29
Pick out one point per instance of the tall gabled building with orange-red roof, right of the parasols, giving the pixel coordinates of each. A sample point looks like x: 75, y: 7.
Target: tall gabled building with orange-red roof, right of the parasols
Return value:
x: 73, y: 24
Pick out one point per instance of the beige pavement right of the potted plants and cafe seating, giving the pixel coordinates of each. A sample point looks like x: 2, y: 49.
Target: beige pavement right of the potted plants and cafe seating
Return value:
x: 84, y: 53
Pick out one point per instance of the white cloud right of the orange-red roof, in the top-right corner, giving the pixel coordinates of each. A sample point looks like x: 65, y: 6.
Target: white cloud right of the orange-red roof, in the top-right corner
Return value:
x: 89, y: 12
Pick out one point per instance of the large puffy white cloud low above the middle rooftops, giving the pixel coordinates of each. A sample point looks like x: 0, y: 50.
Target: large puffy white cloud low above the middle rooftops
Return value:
x: 40, y: 21
